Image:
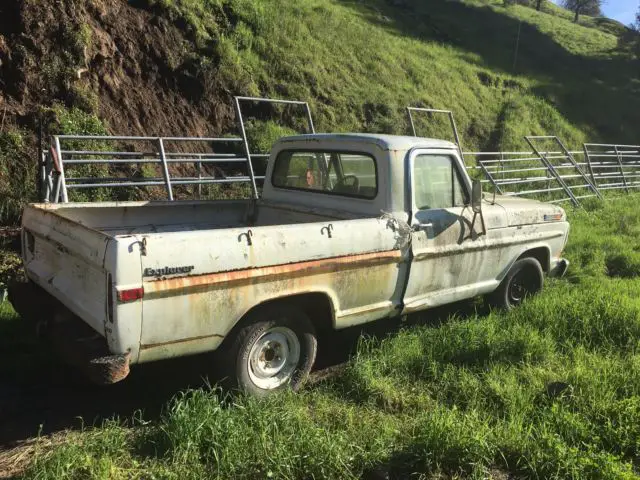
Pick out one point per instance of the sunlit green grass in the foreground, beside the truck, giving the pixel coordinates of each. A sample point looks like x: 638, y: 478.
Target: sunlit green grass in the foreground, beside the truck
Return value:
x: 549, y: 390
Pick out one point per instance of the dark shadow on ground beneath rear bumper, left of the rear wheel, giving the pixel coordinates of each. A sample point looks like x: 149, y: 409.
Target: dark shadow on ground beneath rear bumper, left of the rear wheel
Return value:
x: 40, y: 394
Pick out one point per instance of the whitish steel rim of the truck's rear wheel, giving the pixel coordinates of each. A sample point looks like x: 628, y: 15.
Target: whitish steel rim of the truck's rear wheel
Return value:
x: 273, y: 358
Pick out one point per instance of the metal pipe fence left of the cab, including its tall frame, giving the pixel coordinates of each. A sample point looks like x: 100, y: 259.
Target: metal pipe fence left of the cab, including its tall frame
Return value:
x: 75, y: 150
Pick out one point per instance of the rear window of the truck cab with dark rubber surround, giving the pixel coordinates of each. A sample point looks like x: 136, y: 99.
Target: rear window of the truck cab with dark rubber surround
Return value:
x: 342, y: 173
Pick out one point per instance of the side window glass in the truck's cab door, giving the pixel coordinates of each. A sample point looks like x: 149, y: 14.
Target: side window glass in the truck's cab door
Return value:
x: 436, y: 182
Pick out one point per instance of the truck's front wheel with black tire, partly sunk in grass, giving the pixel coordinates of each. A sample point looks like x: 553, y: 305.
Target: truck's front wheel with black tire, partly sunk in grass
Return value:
x: 525, y: 278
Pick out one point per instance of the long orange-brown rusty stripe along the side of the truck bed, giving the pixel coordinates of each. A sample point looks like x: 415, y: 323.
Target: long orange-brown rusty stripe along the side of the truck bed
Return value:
x: 261, y: 274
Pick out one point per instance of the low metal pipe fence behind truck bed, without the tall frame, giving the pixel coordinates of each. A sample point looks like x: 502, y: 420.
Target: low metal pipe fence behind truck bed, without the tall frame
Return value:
x: 72, y: 162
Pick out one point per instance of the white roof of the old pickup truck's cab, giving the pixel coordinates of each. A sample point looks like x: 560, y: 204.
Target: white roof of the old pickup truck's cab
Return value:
x: 386, y: 142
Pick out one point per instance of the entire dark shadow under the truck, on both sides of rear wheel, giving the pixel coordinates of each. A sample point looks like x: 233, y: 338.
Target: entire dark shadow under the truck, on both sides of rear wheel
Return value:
x: 39, y: 394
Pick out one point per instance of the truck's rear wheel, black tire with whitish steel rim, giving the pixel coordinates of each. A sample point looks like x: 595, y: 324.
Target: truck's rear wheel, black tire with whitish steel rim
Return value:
x: 268, y: 332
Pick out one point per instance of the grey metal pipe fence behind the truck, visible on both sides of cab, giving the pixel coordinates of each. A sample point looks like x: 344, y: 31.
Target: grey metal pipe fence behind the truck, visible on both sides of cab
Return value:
x: 549, y: 171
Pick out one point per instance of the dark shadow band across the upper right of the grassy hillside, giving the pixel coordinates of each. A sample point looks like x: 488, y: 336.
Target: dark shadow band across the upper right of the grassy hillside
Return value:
x: 599, y: 92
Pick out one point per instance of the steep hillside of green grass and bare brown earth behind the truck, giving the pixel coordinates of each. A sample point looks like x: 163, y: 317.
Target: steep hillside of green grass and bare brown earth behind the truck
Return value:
x: 172, y: 66
